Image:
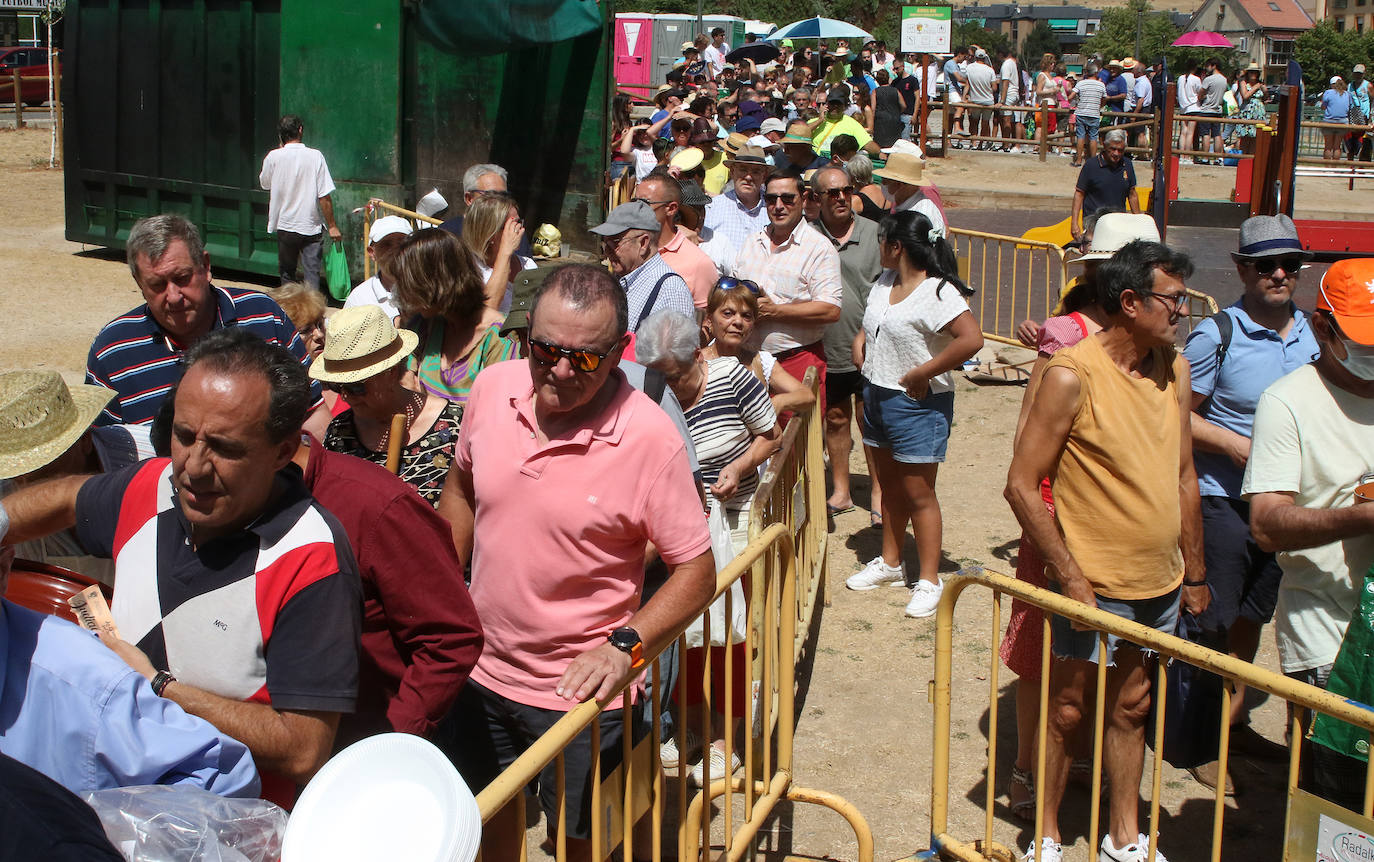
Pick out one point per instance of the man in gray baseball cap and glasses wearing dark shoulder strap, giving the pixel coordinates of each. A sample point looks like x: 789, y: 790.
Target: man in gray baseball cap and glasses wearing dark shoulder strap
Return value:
x: 630, y: 245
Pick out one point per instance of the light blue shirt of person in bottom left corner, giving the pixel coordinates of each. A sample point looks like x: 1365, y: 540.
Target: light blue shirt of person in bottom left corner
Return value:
x: 75, y: 711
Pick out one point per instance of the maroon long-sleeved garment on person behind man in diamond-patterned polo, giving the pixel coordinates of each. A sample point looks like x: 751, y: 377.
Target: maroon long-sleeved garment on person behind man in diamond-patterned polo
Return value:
x: 421, y: 634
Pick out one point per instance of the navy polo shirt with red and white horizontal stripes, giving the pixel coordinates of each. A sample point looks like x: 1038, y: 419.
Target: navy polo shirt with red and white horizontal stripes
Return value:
x: 141, y: 362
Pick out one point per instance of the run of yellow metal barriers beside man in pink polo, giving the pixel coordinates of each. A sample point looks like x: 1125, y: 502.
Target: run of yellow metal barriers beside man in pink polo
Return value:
x: 660, y: 813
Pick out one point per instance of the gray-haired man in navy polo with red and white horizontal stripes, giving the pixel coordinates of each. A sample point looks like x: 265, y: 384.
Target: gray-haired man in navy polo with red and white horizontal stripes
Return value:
x: 139, y: 354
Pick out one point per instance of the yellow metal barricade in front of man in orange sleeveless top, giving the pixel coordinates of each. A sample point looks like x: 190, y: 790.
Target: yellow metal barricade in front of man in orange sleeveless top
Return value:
x: 1235, y: 672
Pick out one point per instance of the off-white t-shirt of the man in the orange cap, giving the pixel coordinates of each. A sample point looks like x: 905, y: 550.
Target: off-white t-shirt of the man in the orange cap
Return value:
x: 1314, y: 441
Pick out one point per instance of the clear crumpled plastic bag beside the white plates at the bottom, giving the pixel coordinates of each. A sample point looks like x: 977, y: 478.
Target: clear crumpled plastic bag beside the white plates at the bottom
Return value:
x: 181, y: 824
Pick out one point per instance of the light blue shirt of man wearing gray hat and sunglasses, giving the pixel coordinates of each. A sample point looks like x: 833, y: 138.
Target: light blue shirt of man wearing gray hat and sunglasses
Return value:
x: 1257, y: 358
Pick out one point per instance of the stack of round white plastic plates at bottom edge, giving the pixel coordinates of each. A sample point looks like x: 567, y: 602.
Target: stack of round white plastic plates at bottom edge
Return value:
x: 392, y: 797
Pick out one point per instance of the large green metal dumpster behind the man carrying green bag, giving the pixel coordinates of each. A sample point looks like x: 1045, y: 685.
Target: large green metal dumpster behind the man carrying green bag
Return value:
x: 174, y: 104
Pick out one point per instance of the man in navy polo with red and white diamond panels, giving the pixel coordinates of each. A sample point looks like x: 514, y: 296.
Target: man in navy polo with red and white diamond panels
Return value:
x: 238, y: 596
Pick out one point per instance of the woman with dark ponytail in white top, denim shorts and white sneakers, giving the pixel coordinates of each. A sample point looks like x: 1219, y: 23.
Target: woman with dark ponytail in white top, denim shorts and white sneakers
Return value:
x: 917, y: 329
